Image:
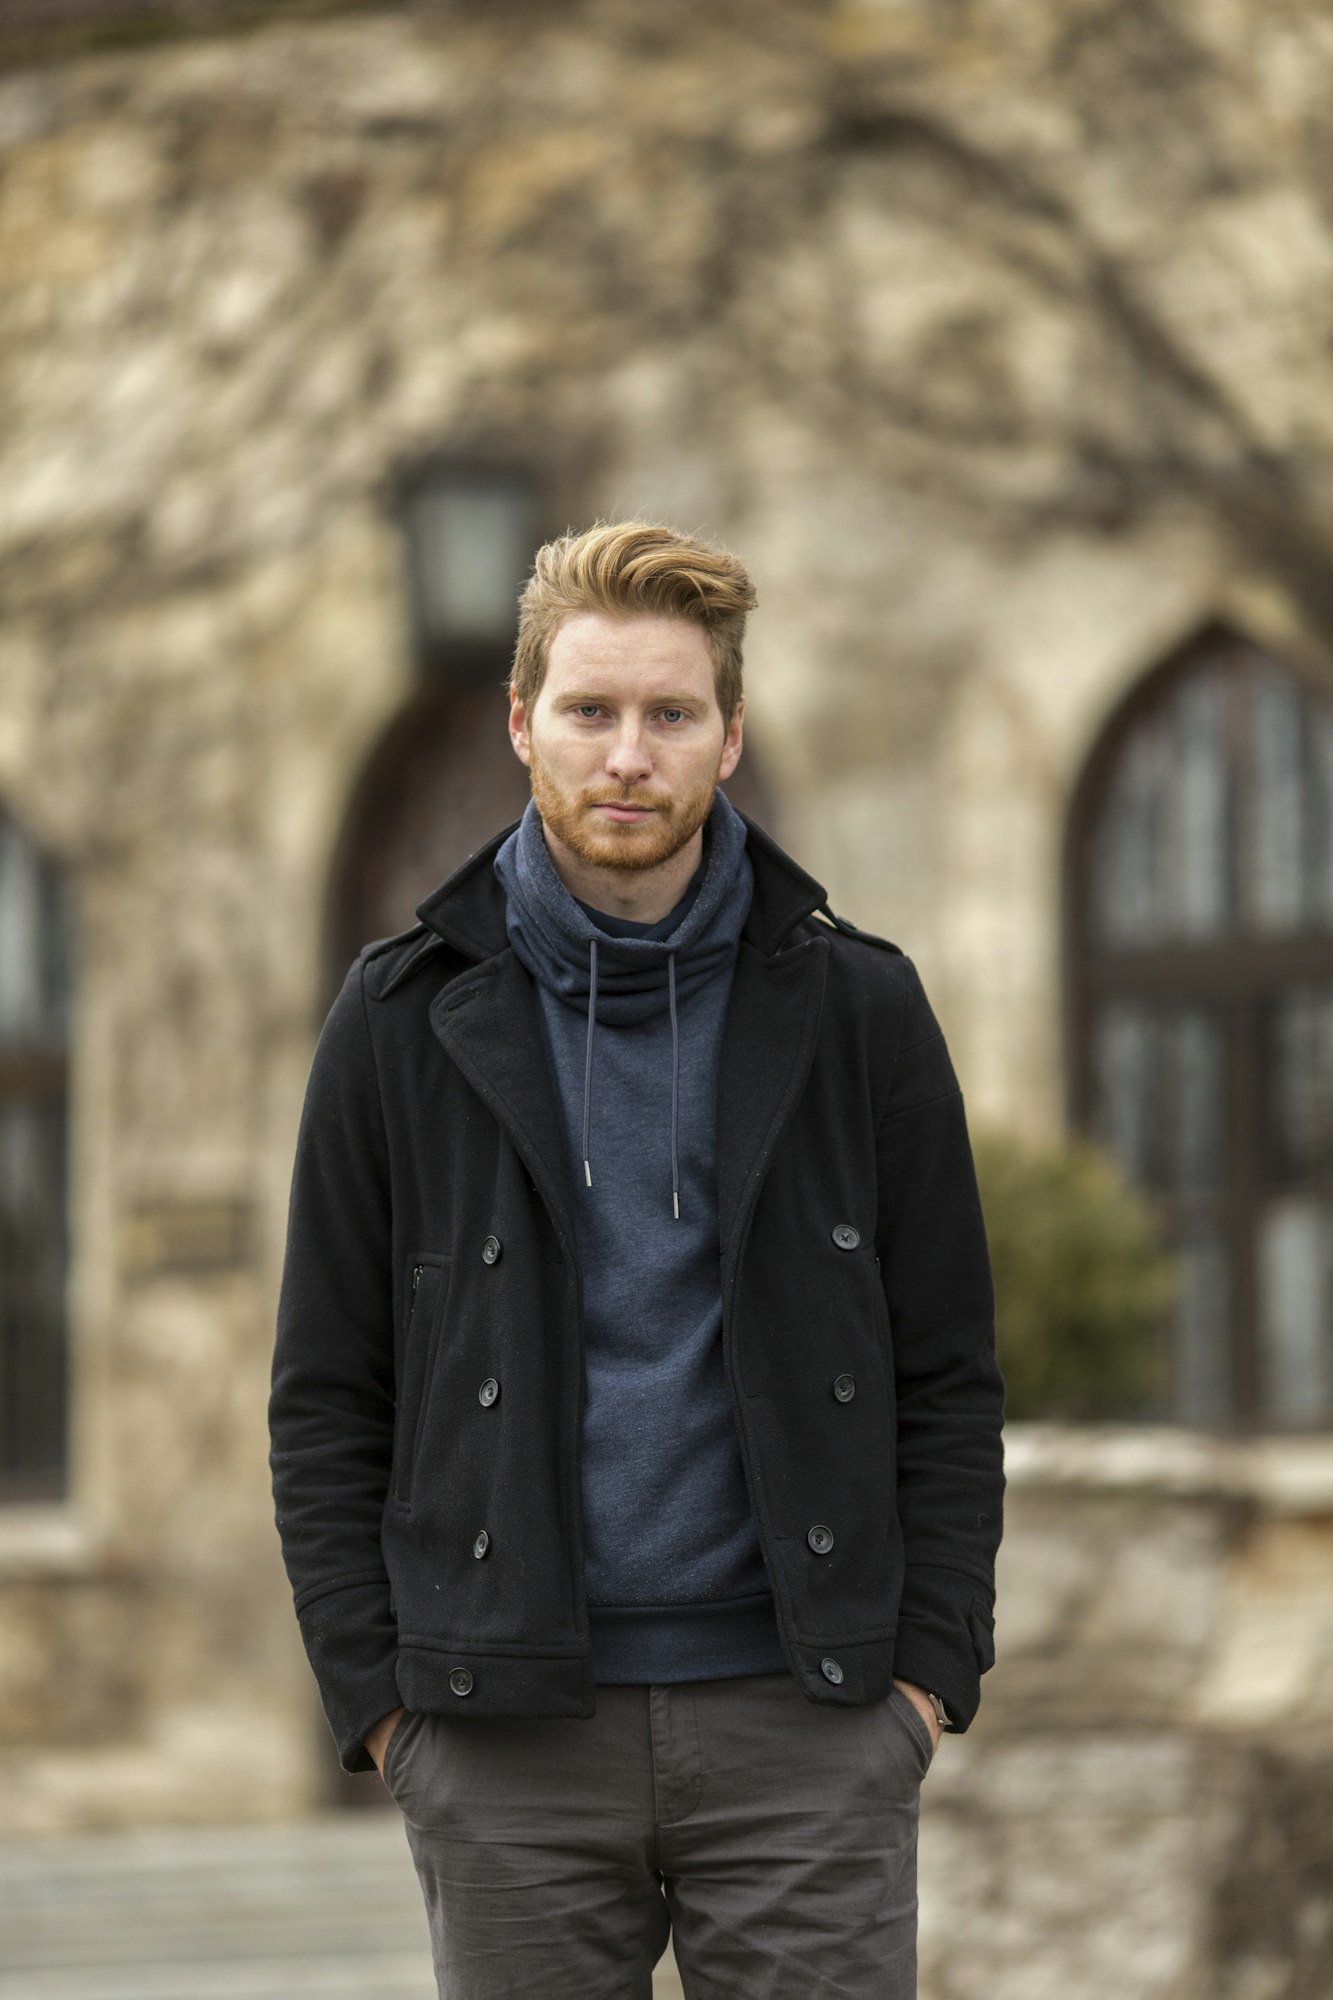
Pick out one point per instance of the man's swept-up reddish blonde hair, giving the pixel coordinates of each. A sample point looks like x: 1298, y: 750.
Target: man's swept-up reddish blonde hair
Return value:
x: 633, y: 569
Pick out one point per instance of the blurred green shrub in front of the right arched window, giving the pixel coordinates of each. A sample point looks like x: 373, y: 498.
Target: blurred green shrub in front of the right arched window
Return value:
x: 1082, y: 1283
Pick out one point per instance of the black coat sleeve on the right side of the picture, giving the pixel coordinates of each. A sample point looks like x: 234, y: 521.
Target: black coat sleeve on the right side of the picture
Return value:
x: 950, y: 1393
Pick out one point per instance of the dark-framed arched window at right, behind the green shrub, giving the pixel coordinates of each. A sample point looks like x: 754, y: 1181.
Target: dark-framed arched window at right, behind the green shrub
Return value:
x: 1200, y: 949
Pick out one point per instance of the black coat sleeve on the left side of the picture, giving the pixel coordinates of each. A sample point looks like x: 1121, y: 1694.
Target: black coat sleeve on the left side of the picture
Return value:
x: 331, y: 1411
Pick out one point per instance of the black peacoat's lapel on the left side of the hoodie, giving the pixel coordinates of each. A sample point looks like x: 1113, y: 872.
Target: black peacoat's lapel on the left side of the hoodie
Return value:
x: 489, y: 1023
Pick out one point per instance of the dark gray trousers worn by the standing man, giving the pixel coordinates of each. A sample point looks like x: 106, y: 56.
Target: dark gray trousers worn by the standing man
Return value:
x: 770, y: 1837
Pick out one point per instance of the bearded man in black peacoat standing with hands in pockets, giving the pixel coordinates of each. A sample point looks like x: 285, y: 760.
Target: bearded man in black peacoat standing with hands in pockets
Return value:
x: 635, y: 1405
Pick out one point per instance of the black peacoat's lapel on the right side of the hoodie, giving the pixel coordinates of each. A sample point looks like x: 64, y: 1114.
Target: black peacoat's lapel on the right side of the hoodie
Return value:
x: 768, y: 1053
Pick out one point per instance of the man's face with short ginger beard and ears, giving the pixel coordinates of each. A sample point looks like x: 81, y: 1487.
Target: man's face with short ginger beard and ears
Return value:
x: 625, y: 741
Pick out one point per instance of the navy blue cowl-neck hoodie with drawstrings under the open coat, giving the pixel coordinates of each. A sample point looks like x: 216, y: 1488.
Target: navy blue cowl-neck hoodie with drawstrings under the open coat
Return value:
x: 633, y: 1019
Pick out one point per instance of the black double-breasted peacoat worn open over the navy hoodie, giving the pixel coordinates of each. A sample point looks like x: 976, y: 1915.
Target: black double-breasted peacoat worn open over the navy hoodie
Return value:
x: 427, y: 1383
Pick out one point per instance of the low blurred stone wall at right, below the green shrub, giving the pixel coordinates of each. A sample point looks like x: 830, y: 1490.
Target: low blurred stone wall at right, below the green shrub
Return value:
x: 1146, y: 1803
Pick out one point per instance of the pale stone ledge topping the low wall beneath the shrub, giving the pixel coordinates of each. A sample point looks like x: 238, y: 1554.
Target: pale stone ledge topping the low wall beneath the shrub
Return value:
x: 1282, y: 1475
